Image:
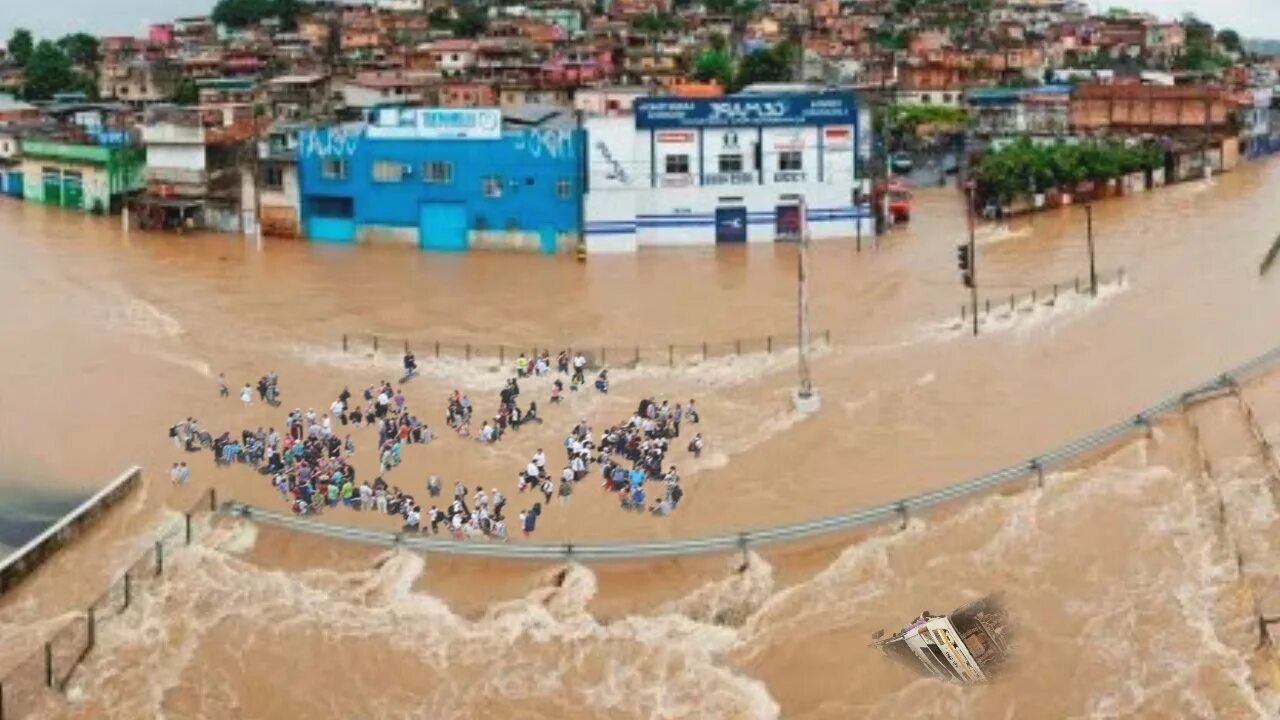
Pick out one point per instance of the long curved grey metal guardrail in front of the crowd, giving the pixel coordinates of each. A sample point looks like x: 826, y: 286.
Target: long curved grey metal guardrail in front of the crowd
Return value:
x: 897, y: 511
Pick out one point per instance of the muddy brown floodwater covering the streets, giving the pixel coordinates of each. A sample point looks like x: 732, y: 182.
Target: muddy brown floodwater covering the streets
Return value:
x: 1126, y: 585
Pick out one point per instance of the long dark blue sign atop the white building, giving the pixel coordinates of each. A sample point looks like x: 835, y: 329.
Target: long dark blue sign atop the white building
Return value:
x: 747, y: 111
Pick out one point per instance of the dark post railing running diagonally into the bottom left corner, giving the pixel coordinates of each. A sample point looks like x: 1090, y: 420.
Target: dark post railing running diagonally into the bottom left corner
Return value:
x: 33, y: 683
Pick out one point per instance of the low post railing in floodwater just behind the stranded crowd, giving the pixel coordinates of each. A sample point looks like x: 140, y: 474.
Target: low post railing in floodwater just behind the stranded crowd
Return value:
x: 598, y: 356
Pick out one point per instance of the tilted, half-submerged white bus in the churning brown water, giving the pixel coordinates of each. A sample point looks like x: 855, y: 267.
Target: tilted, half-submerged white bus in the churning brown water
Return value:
x: 966, y: 648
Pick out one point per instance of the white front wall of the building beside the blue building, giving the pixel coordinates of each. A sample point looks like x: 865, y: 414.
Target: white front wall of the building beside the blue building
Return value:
x: 632, y: 202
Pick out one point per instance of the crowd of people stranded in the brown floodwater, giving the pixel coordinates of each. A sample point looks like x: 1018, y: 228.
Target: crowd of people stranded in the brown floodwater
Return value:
x: 310, y: 462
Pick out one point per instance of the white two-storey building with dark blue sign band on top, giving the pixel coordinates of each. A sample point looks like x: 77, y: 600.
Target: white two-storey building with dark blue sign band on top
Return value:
x: 743, y: 168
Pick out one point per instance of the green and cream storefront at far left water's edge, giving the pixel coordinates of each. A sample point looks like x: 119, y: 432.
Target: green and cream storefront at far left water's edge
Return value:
x: 92, y: 179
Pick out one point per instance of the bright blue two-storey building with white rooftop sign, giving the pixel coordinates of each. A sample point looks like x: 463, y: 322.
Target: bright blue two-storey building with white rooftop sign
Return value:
x: 445, y: 180
